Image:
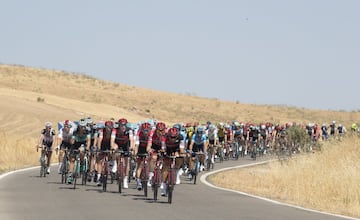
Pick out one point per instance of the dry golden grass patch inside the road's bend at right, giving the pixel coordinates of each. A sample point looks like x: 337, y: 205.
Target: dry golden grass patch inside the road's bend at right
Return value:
x: 328, y: 181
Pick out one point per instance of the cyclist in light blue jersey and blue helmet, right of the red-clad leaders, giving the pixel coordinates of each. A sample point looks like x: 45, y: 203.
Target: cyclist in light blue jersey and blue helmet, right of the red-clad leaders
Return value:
x: 198, y: 144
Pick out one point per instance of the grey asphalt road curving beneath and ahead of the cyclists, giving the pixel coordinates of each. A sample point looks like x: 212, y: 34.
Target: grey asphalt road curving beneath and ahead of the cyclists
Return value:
x: 23, y: 195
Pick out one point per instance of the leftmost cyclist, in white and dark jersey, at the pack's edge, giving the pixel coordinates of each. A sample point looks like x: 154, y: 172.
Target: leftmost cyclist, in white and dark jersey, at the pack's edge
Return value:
x: 47, y: 139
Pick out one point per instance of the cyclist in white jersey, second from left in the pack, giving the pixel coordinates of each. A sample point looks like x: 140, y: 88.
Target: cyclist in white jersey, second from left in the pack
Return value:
x: 64, y: 140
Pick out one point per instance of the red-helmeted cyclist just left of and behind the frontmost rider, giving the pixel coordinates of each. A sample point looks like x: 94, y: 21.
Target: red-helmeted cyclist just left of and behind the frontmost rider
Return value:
x: 157, y: 139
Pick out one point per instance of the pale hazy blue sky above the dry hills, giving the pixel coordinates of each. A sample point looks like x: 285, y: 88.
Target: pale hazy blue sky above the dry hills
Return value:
x: 301, y: 53
